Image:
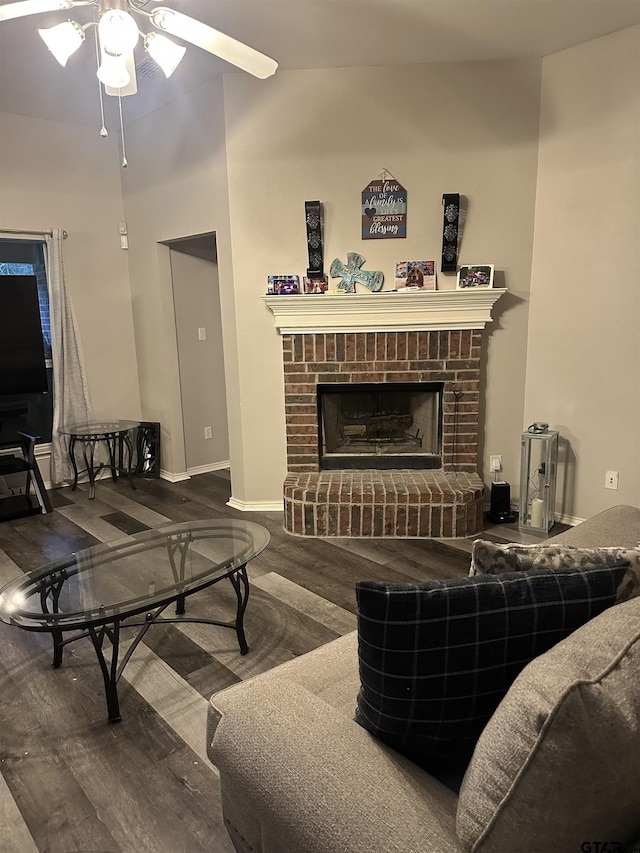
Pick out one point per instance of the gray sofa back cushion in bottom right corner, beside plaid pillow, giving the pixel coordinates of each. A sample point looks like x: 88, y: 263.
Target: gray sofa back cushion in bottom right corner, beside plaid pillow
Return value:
x: 559, y: 761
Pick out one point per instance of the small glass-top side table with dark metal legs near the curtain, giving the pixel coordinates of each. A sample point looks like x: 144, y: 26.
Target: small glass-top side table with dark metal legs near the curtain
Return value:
x: 114, y: 435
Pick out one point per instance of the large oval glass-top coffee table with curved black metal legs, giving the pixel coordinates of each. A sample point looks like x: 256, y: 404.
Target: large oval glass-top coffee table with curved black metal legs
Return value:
x: 130, y: 582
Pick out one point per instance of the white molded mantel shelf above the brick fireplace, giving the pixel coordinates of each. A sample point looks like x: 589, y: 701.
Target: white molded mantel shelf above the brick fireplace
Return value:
x: 385, y: 311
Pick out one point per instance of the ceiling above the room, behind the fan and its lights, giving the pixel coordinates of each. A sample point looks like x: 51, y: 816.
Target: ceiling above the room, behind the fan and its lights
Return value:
x: 304, y: 34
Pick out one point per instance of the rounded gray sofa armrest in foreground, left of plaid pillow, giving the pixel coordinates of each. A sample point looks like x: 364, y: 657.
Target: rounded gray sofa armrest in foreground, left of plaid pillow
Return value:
x: 297, y: 774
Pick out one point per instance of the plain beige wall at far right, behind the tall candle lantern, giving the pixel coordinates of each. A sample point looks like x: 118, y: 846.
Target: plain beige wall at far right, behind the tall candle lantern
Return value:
x: 583, y: 364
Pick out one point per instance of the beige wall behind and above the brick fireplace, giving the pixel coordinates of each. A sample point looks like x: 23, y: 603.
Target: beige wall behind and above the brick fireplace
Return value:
x: 470, y: 128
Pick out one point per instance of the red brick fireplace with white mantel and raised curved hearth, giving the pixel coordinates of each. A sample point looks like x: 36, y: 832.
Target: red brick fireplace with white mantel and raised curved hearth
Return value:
x: 360, y: 460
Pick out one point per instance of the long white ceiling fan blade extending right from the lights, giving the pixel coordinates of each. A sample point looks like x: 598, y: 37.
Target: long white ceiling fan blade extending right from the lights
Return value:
x: 204, y: 36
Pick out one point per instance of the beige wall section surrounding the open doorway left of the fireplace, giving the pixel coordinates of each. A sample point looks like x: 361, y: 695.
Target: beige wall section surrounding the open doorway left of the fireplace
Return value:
x: 176, y: 187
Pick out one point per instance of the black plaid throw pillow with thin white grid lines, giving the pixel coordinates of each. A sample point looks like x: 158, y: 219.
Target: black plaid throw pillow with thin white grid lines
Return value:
x: 436, y: 658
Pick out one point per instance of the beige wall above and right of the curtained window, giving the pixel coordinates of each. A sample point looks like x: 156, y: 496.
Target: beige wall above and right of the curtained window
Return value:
x: 57, y: 175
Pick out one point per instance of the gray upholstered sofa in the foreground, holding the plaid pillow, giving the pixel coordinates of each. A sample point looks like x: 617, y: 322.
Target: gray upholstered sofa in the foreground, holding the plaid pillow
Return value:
x: 557, y: 769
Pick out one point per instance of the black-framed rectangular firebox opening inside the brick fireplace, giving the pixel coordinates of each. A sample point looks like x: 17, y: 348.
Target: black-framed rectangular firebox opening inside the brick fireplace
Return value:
x: 382, y: 426
